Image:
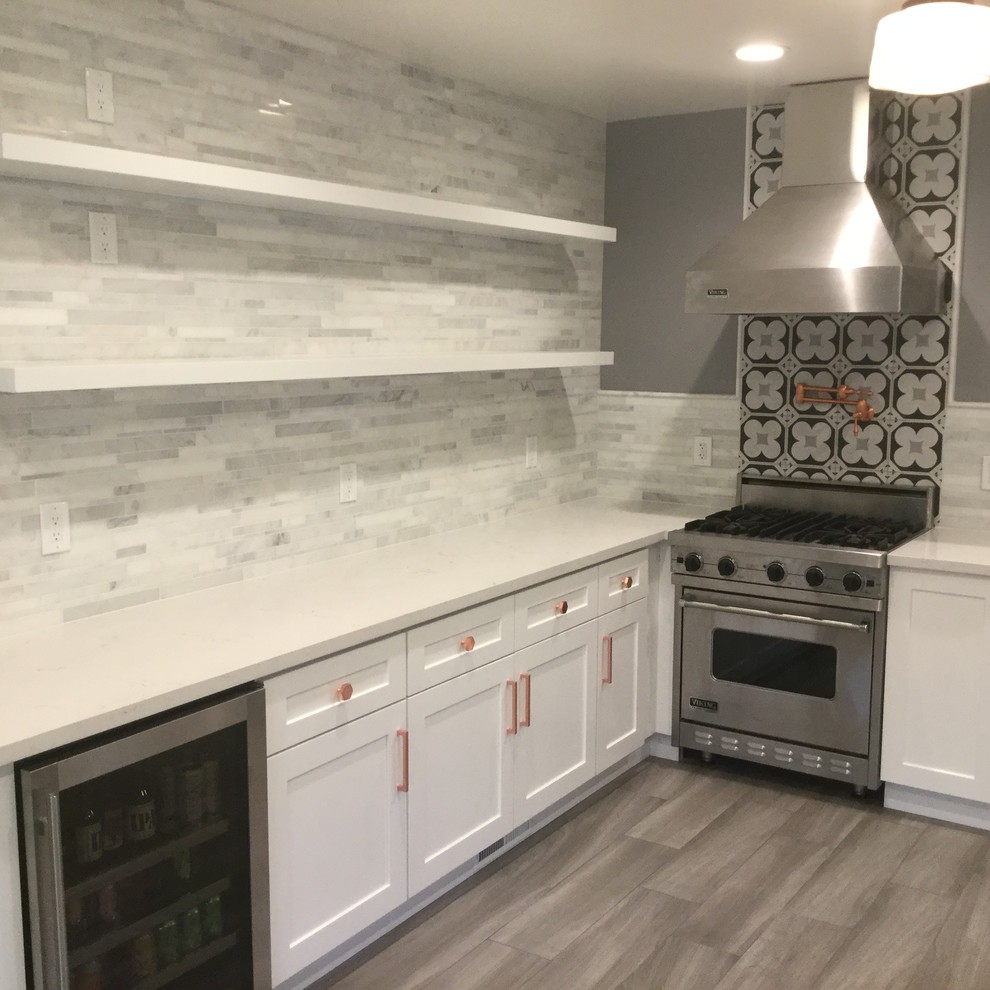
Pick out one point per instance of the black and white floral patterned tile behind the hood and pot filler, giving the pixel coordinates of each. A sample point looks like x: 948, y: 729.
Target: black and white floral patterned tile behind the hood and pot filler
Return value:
x: 916, y: 155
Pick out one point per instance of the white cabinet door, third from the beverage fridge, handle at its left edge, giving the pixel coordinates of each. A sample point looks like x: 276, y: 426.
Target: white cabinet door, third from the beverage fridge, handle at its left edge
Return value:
x: 554, y: 751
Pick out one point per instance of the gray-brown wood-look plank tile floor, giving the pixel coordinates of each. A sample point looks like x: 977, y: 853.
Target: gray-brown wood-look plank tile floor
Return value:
x: 724, y: 877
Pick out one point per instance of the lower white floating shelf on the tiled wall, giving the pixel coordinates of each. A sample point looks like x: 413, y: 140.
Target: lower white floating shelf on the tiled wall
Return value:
x: 43, y: 376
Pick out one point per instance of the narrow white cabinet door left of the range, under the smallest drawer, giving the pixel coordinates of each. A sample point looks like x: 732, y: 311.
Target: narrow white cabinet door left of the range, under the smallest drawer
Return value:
x: 623, y: 684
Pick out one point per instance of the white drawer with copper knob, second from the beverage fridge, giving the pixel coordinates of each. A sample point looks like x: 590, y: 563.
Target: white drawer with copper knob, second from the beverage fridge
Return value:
x: 458, y: 643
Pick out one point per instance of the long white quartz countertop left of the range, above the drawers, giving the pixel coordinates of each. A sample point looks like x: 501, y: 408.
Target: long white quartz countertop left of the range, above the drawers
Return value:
x: 67, y: 683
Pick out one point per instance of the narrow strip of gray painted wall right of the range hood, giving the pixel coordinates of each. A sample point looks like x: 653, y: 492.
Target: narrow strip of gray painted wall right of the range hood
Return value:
x: 973, y: 344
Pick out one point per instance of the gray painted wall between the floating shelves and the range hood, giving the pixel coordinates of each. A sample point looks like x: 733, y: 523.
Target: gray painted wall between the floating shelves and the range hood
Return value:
x: 673, y: 189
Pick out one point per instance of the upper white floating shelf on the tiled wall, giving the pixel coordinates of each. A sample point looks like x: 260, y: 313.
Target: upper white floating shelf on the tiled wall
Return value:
x: 31, y: 157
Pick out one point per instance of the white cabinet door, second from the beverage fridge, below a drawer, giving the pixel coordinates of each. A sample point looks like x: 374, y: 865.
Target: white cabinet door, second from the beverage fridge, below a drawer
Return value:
x: 460, y: 763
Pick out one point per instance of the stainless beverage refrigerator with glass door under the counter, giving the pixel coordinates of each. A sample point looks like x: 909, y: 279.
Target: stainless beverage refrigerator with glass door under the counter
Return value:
x: 145, y: 855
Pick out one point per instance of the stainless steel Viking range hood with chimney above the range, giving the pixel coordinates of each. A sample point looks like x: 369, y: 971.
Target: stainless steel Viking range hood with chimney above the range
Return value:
x: 823, y: 243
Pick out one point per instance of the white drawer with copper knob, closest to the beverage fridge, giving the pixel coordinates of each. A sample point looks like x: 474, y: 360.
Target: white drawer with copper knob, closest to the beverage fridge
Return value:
x: 334, y: 691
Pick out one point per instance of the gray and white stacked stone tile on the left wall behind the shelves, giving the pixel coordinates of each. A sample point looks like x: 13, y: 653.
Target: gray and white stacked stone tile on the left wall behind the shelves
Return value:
x: 176, y: 489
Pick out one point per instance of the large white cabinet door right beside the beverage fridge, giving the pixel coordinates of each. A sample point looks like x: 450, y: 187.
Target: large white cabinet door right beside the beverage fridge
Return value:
x: 337, y: 826
